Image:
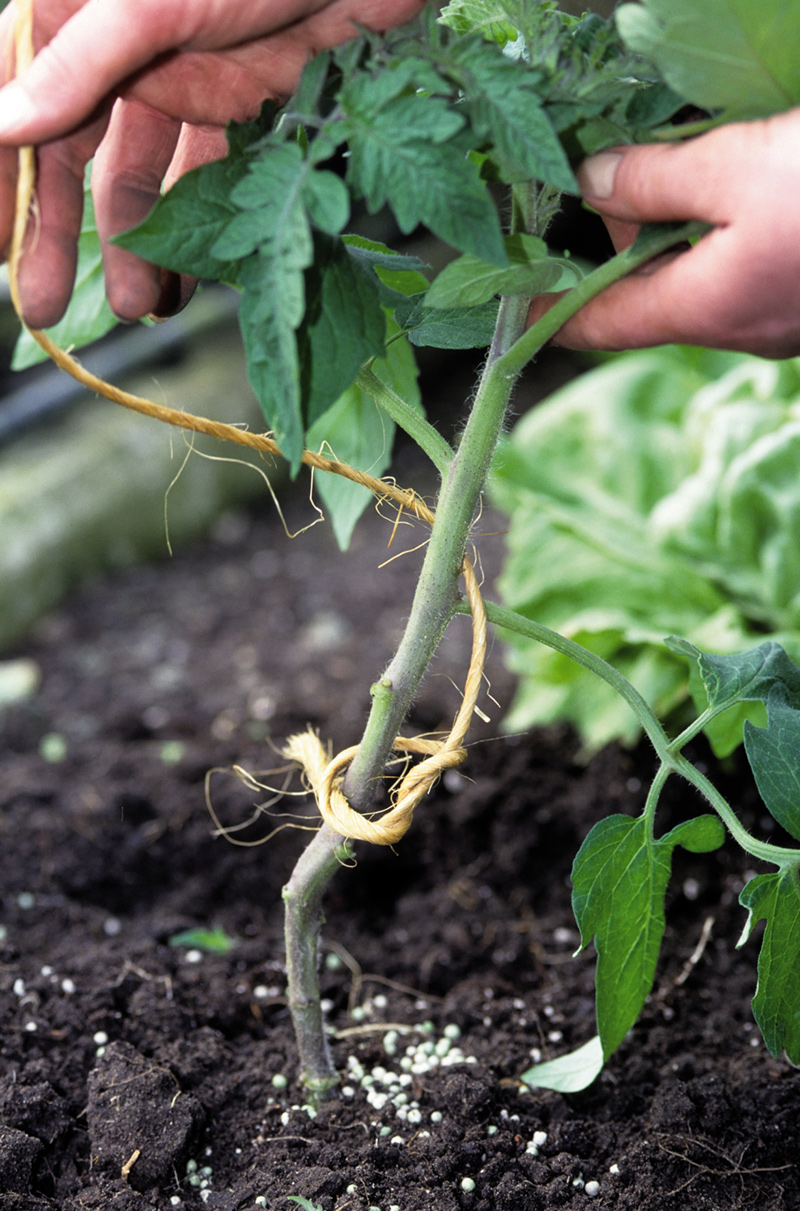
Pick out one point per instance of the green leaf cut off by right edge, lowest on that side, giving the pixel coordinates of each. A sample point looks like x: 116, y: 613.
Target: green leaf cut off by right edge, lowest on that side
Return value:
x: 776, y: 1007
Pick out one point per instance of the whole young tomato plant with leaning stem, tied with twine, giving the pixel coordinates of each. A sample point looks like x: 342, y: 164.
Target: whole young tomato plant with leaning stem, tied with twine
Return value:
x: 458, y: 123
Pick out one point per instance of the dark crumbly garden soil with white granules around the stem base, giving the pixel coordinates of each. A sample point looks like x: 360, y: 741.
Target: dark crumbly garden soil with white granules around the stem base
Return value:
x: 133, y: 1070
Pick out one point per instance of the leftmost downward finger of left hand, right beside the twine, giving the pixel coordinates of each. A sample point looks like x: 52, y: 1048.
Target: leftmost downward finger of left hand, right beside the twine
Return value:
x: 47, y: 272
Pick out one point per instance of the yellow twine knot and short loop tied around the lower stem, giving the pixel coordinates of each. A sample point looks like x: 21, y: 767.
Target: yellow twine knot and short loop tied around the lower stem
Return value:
x: 325, y: 777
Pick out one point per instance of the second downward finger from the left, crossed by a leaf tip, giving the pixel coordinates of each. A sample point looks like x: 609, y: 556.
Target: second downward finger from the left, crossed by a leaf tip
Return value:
x: 126, y: 183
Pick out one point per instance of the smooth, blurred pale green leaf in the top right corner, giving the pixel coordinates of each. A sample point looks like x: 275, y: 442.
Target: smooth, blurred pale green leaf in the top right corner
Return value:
x: 735, y: 56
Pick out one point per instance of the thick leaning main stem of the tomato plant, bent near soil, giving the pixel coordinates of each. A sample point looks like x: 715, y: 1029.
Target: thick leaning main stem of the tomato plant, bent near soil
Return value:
x: 434, y: 606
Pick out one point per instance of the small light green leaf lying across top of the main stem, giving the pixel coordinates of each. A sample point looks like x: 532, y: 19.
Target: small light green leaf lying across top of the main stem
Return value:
x: 532, y: 271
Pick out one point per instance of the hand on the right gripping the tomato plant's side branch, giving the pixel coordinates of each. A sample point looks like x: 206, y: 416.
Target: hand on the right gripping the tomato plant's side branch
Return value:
x: 740, y: 286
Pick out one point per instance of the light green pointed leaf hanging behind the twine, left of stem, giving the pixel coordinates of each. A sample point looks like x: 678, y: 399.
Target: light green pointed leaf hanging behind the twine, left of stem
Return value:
x: 355, y: 431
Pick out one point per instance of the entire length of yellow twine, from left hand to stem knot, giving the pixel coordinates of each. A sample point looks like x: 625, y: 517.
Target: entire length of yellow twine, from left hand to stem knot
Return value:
x: 306, y: 749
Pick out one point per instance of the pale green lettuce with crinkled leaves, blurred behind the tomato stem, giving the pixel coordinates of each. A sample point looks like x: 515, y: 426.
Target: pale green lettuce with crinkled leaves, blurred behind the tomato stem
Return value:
x: 661, y: 495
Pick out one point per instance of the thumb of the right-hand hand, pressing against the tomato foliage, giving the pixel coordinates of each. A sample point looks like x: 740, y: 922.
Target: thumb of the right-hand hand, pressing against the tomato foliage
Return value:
x: 664, y: 183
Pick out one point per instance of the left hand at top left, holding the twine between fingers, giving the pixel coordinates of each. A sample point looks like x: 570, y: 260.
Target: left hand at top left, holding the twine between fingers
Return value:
x: 147, y: 88
